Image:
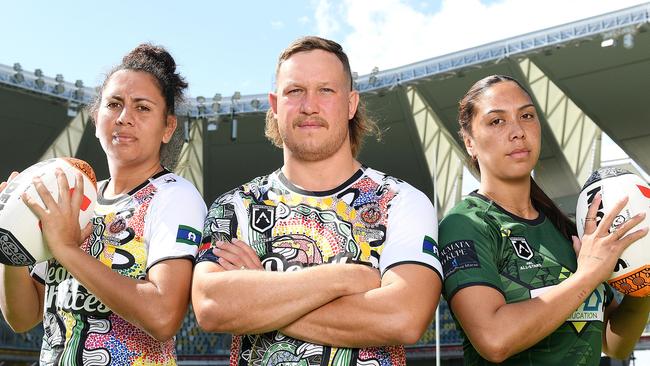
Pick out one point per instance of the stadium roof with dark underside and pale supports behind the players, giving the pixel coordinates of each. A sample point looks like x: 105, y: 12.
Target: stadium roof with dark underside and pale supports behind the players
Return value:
x: 579, y: 83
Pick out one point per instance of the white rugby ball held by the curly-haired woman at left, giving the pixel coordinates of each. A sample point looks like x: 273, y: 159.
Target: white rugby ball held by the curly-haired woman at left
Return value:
x: 21, y: 239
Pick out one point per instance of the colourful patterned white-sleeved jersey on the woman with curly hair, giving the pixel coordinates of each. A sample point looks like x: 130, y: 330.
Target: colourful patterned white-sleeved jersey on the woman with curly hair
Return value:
x: 158, y: 220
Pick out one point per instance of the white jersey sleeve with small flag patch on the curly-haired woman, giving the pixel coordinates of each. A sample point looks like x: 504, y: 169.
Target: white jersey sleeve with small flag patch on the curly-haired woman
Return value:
x: 173, y: 223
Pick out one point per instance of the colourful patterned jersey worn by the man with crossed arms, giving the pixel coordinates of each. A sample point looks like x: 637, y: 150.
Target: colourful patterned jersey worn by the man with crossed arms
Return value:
x: 372, y: 219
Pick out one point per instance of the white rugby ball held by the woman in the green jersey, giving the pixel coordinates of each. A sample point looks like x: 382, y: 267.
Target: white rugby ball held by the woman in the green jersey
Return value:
x: 631, y: 275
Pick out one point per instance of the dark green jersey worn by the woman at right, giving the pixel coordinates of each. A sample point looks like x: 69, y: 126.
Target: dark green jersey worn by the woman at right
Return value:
x: 481, y: 244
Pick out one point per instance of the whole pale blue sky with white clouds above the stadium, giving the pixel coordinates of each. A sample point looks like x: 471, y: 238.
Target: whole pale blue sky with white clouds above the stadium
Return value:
x: 233, y: 46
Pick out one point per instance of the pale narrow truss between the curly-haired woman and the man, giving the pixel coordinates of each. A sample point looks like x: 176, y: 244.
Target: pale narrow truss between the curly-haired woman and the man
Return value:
x: 190, y: 162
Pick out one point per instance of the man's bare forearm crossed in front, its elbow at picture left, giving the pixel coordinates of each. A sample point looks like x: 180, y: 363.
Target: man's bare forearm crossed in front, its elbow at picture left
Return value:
x: 246, y: 302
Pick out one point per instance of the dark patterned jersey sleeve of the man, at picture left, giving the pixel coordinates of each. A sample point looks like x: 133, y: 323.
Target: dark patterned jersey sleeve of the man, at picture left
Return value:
x: 220, y: 225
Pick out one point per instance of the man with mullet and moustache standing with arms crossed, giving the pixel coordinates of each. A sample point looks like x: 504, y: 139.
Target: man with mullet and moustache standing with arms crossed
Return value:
x: 324, y: 261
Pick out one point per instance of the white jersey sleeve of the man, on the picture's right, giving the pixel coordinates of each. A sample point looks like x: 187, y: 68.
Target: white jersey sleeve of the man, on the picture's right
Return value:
x: 411, y: 233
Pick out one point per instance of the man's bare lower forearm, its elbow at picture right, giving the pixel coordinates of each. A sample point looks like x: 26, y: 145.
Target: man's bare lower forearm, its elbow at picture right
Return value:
x: 396, y: 313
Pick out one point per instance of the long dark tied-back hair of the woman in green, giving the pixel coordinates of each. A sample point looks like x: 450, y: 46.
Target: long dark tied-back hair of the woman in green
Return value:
x: 466, y: 112
